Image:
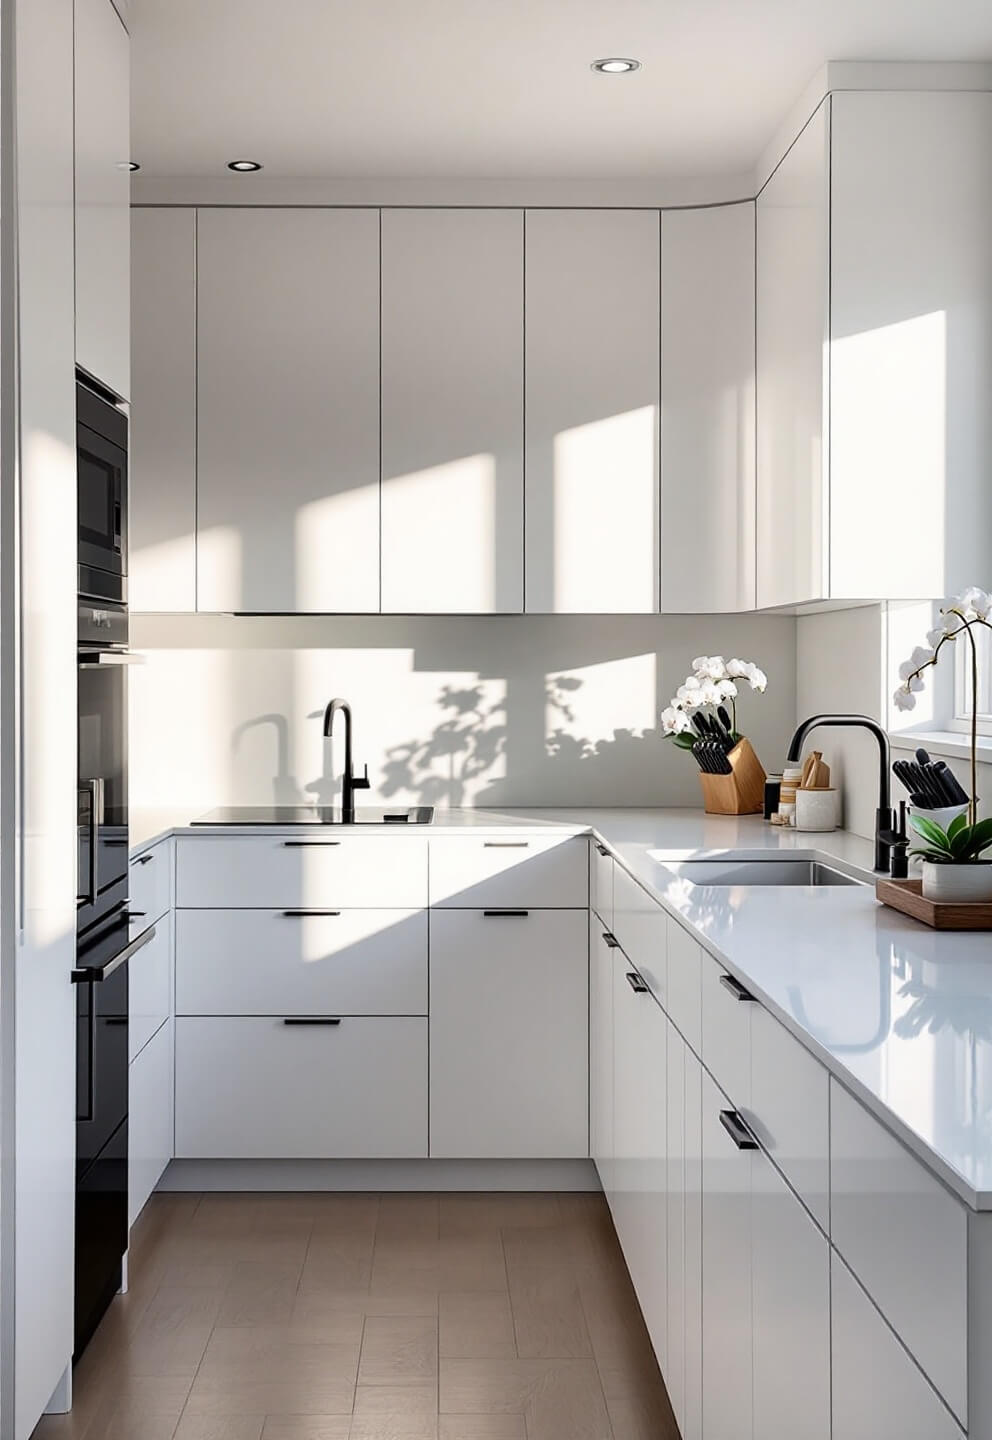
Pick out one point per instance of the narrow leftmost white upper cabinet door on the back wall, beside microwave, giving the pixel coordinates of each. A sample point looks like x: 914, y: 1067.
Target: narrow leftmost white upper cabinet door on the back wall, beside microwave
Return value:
x: 162, y: 557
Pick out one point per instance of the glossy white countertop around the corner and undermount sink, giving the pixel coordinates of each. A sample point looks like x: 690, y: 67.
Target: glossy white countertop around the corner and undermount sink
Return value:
x: 901, y: 1014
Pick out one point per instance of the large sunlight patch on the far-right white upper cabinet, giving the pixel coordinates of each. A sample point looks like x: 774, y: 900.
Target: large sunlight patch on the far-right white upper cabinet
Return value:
x: 889, y: 423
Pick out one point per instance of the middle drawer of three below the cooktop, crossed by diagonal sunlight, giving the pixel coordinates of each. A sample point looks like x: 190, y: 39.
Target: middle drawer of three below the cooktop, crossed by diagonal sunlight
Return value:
x: 271, y: 963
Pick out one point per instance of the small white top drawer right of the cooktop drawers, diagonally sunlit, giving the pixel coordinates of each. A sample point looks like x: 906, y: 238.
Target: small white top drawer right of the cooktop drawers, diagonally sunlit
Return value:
x: 512, y: 870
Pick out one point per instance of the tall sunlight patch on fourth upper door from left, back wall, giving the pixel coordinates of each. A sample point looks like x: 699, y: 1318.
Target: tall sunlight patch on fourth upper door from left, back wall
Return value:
x: 607, y: 515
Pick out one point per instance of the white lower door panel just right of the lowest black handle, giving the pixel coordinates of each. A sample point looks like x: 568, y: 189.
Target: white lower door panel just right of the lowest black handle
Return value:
x: 791, y: 1313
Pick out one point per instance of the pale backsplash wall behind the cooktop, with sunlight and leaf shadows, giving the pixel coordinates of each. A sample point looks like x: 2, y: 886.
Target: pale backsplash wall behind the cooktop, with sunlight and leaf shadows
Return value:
x: 448, y: 711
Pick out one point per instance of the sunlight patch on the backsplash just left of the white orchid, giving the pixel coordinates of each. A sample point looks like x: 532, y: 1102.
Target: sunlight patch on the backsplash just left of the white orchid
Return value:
x: 604, y: 709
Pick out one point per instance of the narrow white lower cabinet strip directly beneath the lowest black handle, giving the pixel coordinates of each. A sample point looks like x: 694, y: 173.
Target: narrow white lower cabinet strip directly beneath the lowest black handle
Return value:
x: 726, y: 1277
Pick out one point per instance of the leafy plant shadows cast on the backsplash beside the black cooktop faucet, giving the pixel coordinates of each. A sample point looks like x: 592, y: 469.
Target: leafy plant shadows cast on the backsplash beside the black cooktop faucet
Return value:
x: 456, y: 764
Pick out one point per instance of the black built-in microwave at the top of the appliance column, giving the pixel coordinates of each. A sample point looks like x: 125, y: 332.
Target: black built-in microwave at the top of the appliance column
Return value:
x: 103, y: 493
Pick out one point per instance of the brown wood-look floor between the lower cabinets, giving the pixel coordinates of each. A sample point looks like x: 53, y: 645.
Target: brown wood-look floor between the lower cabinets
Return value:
x: 372, y: 1318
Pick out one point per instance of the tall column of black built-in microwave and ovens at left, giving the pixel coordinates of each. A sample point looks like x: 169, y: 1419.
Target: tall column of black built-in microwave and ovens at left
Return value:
x: 106, y: 941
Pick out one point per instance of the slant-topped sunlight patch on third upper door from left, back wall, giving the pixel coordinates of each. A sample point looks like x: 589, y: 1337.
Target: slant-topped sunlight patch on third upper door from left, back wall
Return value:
x: 456, y: 499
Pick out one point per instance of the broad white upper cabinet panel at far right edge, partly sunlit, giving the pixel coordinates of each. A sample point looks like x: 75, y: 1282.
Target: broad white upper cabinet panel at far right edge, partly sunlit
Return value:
x: 911, y: 358
